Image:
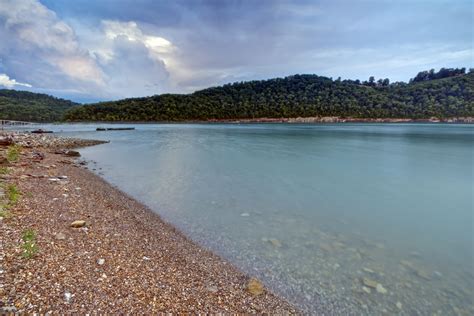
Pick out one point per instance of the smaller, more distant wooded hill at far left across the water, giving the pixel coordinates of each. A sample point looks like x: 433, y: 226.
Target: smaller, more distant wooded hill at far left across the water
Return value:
x: 32, y: 107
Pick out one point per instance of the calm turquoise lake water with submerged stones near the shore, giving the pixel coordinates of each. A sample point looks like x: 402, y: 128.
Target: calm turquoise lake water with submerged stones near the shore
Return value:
x: 314, y: 209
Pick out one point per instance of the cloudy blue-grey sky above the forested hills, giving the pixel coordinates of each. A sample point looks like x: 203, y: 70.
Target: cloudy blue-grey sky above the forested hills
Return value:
x: 92, y: 50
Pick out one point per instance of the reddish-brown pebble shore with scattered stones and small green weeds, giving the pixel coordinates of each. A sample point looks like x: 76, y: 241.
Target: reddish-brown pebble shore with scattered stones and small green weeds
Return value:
x: 125, y: 259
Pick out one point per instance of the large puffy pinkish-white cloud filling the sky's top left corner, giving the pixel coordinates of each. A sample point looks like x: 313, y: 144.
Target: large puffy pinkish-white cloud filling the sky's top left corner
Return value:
x: 37, y: 31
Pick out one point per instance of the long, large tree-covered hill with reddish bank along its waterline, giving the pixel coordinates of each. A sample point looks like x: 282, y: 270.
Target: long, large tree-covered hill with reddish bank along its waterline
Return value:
x: 298, y: 96
